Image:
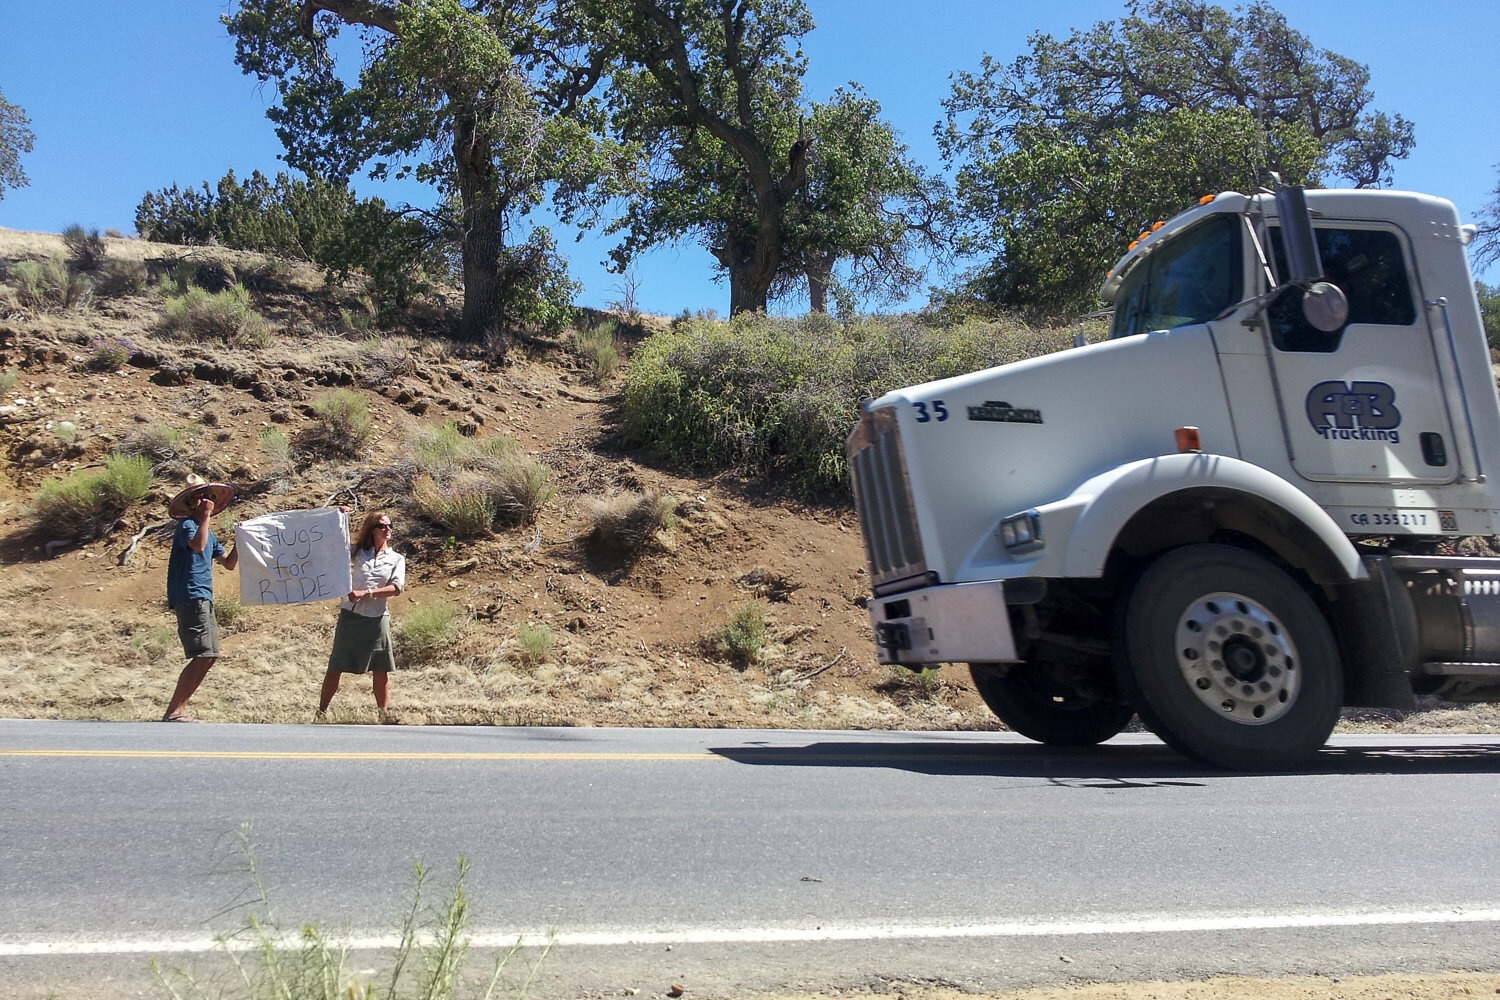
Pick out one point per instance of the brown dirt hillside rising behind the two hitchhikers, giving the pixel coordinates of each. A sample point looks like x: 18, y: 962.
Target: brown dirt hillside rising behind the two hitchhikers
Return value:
x: 86, y: 632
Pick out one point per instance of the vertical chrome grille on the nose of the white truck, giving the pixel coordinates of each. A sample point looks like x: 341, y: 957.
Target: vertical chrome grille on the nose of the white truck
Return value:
x: 883, y: 499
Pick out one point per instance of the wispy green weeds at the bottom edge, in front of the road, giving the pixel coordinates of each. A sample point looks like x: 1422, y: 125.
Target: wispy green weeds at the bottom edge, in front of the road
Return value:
x: 428, y: 963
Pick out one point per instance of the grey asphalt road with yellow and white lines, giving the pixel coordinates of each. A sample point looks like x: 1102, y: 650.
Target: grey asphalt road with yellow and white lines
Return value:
x: 745, y: 860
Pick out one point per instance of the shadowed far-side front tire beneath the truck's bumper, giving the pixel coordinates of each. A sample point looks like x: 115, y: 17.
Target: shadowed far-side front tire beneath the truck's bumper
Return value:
x: 1039, y: 707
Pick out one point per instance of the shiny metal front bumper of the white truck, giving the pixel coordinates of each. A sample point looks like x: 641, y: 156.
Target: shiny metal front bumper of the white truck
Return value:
x: 955, y: 623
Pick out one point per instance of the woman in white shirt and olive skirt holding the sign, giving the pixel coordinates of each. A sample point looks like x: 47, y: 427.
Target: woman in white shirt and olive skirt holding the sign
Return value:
x: 362, y: 638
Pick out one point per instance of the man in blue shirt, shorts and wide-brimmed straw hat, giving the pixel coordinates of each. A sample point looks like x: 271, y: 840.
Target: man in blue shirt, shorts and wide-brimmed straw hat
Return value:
x: 190, y: 593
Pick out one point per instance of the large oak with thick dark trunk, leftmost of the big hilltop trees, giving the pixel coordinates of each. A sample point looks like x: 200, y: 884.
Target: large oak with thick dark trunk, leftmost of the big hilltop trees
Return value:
x: 487, y: 103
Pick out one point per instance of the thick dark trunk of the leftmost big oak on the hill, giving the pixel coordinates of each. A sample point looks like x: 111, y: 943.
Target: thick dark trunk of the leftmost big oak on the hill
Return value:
x: 484, y: 239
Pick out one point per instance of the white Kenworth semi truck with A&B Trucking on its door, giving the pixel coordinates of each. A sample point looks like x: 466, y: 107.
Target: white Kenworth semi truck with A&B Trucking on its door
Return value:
x: 1231, y: 516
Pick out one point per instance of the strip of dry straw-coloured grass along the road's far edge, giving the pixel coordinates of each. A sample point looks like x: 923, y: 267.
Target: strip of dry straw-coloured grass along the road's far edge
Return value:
x: 121, y: 668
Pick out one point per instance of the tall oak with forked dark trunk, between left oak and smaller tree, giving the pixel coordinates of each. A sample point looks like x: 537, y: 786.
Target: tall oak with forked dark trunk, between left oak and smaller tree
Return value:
x: 710, y: 91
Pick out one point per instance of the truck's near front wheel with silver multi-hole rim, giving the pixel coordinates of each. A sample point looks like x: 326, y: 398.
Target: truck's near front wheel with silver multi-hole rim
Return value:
x: 1229, y: 660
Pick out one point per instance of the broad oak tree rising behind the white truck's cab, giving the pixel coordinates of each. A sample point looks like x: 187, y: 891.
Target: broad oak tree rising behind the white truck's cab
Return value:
x: 1177, y: 100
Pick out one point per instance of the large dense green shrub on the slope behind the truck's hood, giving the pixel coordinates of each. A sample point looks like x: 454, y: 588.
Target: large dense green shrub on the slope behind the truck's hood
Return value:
x: 779, y: 397
